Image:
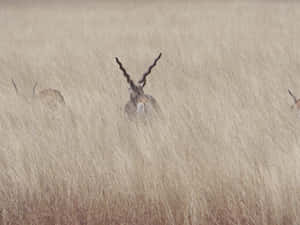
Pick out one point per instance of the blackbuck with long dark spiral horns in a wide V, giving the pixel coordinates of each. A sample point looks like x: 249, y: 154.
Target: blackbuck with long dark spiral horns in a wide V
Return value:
x: 140, y: 104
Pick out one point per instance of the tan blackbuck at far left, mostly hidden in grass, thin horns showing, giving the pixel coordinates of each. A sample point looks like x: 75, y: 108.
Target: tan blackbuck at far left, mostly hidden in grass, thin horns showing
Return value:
x: 51, y: 98
